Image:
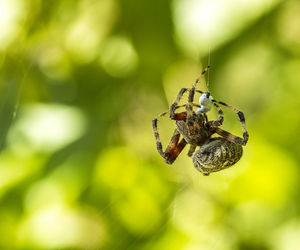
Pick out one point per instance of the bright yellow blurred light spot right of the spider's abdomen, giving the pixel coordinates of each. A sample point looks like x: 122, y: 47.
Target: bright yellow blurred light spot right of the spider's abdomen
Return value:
x: 270, y: 174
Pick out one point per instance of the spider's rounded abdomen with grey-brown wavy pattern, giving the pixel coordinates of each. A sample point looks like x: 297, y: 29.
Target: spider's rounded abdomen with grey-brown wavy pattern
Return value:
x: 216, y: 154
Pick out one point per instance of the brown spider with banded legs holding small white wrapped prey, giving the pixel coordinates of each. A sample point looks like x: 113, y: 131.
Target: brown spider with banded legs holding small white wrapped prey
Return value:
x: 214, y: 154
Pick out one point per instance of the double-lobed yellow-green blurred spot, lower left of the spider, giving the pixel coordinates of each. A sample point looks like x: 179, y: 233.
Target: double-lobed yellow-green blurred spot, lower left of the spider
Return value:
x: 136, y: 200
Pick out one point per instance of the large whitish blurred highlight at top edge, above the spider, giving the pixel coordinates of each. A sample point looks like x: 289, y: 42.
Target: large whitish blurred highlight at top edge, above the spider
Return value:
x: 201, y: 24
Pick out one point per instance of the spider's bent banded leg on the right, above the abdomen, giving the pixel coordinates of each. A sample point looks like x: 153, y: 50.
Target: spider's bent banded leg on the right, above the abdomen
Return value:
x: 230, y: 137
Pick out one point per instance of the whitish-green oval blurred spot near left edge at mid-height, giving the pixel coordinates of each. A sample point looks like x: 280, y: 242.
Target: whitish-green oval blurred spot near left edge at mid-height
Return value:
x: 47, y: 127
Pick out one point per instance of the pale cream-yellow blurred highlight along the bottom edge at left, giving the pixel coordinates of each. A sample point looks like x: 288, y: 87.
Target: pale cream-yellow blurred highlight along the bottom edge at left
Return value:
x: 62, y: 227
